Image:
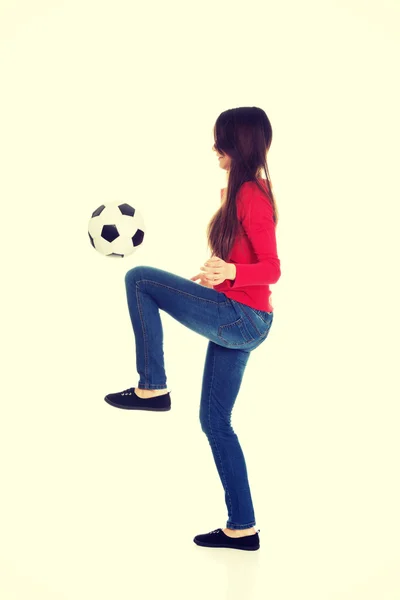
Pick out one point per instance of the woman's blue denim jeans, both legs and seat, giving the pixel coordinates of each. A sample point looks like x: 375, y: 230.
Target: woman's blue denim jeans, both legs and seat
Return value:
x: 233, y: 330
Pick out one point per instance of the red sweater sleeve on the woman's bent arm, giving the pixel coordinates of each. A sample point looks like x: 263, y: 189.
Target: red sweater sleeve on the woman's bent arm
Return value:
x: 255, y: 213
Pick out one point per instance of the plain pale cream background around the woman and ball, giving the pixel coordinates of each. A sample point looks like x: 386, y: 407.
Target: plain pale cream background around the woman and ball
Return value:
x: 104, y: 101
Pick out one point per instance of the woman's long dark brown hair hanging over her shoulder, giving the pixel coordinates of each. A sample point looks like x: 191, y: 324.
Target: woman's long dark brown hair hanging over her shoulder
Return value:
x: 244, y: 134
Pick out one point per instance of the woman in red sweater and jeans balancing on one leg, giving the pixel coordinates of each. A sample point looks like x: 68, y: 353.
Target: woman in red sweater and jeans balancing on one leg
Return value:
x: 231, y: 308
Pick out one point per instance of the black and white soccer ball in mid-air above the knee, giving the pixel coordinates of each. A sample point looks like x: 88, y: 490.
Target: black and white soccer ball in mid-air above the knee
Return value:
x: 116, y: 229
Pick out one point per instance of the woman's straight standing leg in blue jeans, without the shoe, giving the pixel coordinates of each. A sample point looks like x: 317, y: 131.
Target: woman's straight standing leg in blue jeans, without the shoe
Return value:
x: 223, y: 372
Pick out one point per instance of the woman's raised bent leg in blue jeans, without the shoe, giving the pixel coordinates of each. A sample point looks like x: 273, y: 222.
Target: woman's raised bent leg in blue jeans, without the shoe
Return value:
x: 201, y: 309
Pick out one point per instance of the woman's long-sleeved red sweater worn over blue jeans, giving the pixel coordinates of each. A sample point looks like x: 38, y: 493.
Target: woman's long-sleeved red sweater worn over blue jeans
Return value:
x: 254, y: 251
